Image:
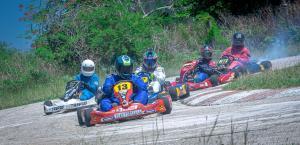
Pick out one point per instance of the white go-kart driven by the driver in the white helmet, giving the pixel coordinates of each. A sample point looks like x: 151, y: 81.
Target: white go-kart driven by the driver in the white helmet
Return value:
x: 70, y: 101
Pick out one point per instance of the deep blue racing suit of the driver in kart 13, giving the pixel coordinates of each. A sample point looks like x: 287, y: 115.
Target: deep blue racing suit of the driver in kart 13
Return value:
x: 140, y: 91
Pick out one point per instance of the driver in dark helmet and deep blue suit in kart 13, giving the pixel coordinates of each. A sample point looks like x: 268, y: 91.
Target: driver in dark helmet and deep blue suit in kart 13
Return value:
x: 124, y: 68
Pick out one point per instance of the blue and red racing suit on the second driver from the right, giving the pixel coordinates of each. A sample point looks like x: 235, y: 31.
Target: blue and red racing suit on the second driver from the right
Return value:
x: 204, y: 70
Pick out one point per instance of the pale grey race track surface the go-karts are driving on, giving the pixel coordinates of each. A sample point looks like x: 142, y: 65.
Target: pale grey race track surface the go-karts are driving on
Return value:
x: 210, y: 116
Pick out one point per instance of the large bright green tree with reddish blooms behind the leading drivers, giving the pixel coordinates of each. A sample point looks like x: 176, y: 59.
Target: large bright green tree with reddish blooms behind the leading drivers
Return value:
x: 100, y: 32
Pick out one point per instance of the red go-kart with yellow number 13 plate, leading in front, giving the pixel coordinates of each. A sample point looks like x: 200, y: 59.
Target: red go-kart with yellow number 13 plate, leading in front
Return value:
x: 123, y: 90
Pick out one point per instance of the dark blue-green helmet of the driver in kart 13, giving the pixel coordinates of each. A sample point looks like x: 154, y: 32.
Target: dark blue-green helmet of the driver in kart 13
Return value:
x: 124, y: 66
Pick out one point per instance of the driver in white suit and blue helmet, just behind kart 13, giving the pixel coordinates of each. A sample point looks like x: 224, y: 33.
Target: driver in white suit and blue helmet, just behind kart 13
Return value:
x: 151, y: 66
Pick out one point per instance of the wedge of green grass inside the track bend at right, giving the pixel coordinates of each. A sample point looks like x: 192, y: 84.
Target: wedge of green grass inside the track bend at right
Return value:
x: 277, y: 79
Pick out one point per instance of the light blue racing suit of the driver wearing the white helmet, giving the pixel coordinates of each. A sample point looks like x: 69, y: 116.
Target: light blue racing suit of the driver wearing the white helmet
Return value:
x: 92, y: 82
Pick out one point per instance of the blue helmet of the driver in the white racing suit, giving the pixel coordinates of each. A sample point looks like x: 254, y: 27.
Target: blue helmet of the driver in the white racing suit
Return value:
x: 150, y: 60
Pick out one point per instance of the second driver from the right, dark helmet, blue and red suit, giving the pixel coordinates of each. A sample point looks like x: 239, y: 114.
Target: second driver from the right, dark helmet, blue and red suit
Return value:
x: 205, y: 66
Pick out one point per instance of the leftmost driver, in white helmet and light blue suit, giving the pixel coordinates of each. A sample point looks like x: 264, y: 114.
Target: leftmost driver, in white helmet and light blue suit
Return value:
x: 89, y: 78
